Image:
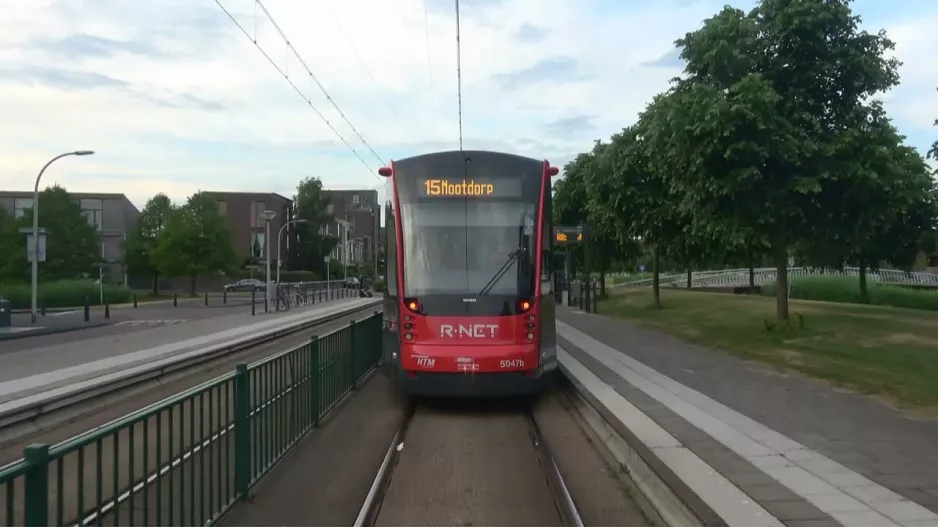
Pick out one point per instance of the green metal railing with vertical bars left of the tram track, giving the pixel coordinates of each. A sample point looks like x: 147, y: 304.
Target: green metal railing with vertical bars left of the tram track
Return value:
x: 187, y: 459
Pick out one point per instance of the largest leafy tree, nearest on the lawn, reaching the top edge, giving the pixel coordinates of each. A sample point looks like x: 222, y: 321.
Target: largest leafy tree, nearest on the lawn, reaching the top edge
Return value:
x: 764, y: 94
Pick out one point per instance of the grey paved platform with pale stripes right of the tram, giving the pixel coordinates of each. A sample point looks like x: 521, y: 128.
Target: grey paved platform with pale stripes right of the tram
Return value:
x: 807, y: 453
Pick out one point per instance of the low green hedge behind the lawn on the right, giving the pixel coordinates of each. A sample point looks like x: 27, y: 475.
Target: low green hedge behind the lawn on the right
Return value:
x: 846, y: 289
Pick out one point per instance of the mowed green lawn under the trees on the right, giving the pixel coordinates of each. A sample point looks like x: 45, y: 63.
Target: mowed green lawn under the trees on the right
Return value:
x: 888, y: 353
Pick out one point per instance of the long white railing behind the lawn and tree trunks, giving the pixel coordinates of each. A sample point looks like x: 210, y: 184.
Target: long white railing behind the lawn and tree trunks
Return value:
x: 767, y: 275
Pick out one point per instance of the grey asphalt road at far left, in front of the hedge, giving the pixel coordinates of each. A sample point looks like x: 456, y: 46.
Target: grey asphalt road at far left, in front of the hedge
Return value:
x: 69, y: 326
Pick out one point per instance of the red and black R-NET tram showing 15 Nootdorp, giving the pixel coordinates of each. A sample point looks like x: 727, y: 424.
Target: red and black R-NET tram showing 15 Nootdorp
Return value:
x: 468, y: 307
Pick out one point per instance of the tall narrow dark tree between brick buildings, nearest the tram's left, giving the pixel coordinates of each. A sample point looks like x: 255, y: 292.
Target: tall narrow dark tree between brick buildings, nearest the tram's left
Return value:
x: 311, y: 204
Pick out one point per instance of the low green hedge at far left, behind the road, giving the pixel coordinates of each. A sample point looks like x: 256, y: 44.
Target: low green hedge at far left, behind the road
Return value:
x: 64, y: 293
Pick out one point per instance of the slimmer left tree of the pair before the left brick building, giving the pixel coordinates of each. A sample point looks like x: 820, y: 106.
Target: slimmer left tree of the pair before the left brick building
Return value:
x: 140, y: 246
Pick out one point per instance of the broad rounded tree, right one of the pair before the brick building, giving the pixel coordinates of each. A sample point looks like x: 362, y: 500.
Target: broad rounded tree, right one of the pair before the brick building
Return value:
x: 195, y: 241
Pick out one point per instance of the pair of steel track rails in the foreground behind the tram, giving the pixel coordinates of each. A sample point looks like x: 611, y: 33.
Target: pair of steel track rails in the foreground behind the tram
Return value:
x: 566, y: 508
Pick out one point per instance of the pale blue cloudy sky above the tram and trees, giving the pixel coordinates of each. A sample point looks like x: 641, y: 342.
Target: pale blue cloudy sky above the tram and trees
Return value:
x: 174, y: 97
